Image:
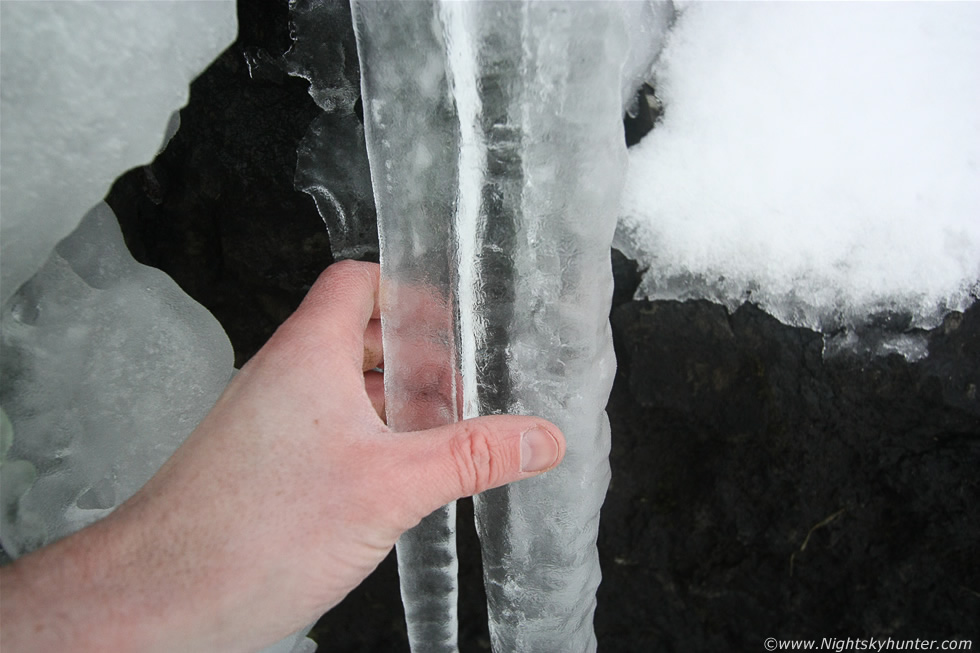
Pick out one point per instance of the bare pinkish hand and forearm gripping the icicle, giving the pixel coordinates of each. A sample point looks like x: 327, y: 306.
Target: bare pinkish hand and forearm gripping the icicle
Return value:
x: 286, y: 496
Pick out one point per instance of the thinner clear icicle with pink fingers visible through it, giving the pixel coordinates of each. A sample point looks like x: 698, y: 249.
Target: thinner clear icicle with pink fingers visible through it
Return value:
x: 413, y: 143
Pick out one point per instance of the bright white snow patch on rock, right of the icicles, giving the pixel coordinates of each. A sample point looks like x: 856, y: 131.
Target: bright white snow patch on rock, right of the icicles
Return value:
x: 820, y: 159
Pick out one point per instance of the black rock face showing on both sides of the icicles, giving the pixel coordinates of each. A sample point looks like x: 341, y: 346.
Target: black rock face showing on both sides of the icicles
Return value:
x: 759, y: 489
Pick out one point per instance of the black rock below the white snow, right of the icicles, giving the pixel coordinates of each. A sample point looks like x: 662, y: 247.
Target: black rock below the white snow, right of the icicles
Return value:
x: 761, y: 491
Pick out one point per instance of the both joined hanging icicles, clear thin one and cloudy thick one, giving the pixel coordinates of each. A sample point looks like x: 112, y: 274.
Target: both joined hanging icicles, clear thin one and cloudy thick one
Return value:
x: 495, y: 138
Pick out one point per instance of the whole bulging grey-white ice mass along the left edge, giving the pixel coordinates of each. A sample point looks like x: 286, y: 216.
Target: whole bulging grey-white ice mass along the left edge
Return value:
x: 105, y: 364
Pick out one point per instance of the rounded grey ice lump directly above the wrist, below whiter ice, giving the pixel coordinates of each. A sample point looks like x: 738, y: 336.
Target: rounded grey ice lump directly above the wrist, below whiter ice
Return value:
x: 106, y: 367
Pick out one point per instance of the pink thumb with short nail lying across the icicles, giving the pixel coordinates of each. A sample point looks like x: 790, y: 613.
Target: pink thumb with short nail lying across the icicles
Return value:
x: 468, y: 457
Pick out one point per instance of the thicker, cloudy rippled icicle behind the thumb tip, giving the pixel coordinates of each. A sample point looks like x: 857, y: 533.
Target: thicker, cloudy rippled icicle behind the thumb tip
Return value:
x: 551, y: 125
